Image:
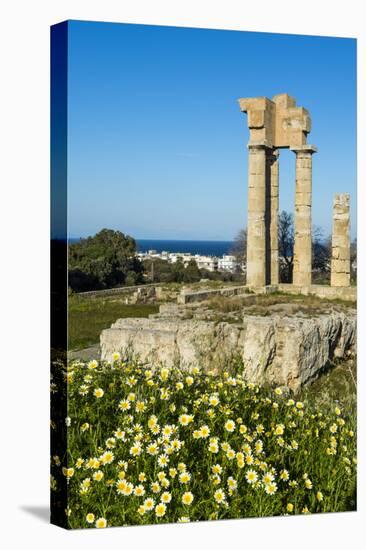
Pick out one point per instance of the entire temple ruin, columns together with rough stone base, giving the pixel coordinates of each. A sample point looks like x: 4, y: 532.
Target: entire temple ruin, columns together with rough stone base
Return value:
x: 283, y: 344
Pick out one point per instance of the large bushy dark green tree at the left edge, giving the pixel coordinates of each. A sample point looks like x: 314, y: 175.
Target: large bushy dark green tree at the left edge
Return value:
x: 104, y: 261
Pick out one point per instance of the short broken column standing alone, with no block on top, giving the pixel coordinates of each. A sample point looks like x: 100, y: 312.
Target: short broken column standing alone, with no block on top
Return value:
x: 341, y: 246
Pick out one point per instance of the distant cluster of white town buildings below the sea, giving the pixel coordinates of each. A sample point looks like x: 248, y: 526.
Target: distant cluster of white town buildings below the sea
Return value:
x: 226, y: 262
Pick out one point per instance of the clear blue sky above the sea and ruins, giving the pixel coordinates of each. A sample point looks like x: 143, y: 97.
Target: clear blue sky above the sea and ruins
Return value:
x: 156, y: 140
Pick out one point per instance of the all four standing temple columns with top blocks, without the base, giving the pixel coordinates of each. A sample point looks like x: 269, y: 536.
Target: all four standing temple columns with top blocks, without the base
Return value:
x: 273, y: 125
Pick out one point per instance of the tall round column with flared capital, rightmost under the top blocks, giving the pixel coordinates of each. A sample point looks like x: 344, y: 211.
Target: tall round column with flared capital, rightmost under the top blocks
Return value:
x: 302, y: 222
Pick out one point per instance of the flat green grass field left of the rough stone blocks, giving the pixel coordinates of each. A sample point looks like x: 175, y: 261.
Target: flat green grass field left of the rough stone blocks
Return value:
x: 89, y: 316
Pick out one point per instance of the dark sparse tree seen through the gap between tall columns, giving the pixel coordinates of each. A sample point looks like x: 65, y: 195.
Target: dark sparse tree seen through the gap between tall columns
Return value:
x: 286, y: 246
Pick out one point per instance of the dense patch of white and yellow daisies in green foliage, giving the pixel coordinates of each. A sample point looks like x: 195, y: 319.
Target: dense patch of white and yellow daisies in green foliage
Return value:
x: 147, y: 444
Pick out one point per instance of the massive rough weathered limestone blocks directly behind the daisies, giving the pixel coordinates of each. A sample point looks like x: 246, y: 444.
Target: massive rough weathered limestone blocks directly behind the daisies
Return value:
x: 286, y: 350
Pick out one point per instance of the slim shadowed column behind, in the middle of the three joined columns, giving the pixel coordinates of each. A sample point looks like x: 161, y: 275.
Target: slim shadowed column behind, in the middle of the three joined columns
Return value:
x: 274, y: 197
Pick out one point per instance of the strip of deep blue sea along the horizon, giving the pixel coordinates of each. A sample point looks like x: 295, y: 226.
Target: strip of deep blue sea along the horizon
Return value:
x: 204, y: 248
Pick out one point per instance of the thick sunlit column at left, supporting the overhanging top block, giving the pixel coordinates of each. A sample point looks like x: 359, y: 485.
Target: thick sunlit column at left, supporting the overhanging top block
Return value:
x: 256, y: 238
